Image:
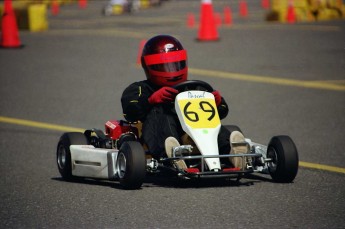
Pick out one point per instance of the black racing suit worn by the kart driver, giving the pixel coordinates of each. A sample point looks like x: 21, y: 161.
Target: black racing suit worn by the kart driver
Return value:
x: 159, y: 120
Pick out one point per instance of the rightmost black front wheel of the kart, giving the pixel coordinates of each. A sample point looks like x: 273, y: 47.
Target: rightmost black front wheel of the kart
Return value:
x: 283, y: 166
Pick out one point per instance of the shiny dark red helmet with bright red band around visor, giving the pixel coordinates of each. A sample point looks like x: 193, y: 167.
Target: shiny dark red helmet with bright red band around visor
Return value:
x: 164, y: 61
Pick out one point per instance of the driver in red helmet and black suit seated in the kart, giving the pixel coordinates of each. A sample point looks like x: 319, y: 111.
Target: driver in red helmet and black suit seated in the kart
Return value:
x: 164, y: 61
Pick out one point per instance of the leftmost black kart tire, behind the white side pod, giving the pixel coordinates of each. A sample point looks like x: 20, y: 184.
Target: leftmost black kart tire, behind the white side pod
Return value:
x: 63, y: 153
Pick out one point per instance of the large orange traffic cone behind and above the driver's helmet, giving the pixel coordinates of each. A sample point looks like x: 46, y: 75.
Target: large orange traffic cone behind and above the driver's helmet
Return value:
x: 207, y: 29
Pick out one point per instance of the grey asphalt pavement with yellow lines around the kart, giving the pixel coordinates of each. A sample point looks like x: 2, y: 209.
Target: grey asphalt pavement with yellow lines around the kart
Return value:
x: 278, y: 79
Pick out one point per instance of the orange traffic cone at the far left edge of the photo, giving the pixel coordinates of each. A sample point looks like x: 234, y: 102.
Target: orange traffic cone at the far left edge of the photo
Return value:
x: 10, y: 34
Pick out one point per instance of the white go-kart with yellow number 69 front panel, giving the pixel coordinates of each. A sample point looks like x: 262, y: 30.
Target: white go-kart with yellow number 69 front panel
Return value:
x: 119, y: 153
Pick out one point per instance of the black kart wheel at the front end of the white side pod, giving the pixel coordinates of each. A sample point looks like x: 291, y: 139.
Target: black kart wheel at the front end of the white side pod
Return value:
x: 131, y: 165
